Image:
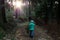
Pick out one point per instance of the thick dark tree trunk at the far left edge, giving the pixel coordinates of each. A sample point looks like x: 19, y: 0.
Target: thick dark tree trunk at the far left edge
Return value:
x: 2, y: 11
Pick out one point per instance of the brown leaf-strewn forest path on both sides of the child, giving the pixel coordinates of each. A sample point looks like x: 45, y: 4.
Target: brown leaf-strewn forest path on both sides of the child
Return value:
x: 19, y: 33
